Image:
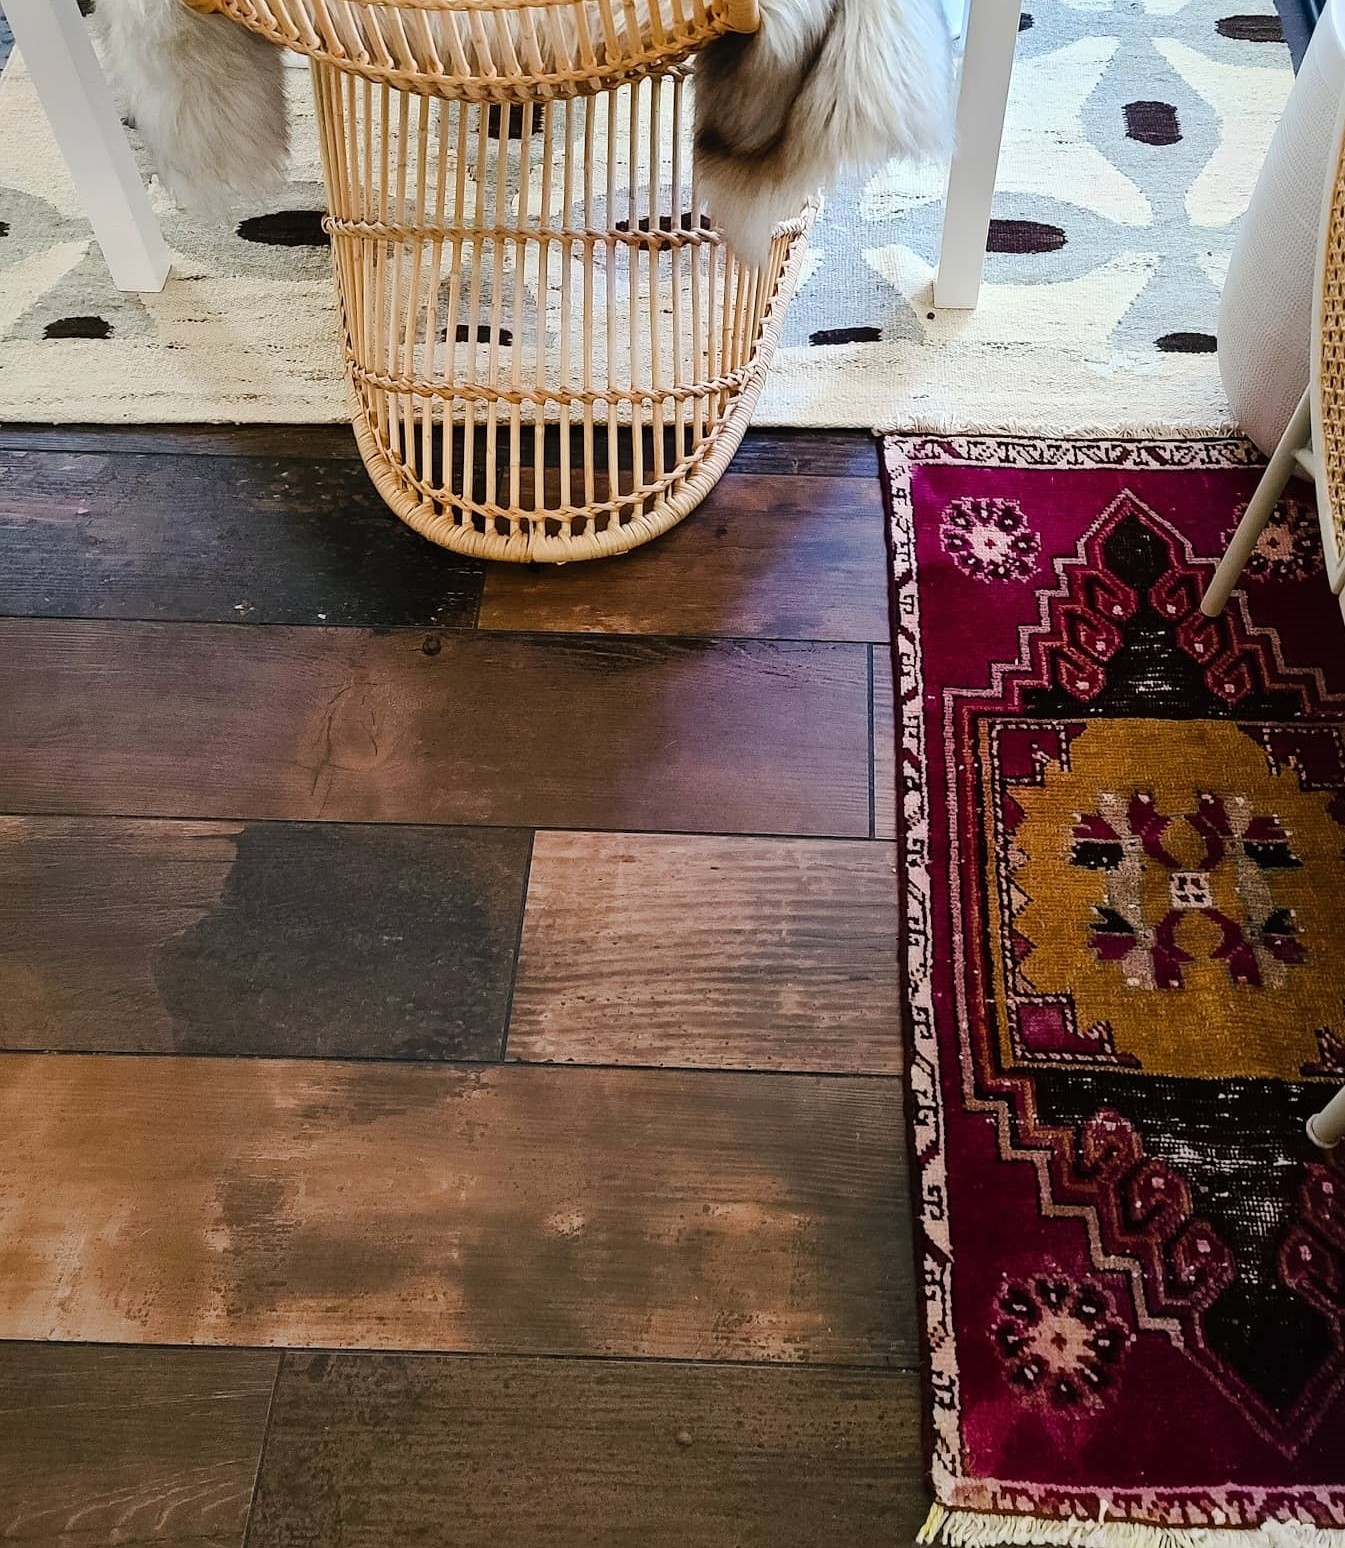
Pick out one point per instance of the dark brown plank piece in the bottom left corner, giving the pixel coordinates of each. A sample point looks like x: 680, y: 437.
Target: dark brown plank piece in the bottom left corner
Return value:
x: 125, y: 1447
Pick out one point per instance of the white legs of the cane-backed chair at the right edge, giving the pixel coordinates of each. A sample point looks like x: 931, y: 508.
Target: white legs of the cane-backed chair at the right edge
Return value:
x: 1299, y: 454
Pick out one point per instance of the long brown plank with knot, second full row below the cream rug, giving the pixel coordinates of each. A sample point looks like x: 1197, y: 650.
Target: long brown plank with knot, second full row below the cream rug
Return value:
x: 309, y: 724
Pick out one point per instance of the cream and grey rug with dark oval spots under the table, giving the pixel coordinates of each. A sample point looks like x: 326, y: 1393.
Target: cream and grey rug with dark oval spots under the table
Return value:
x: 1134, y: 137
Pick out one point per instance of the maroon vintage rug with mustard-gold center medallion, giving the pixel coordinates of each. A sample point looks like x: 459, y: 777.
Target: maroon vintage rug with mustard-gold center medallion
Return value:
x: 1124, y: 860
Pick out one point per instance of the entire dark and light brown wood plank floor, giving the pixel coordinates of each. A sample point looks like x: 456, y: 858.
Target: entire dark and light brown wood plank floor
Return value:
x: 450, y: 1015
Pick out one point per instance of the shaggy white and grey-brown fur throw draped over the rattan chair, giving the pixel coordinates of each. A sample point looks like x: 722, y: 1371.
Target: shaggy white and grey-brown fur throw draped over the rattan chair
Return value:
x: 824, y: 87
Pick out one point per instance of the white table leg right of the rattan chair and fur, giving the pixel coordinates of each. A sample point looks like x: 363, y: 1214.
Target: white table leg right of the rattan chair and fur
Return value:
x: 984, y: 94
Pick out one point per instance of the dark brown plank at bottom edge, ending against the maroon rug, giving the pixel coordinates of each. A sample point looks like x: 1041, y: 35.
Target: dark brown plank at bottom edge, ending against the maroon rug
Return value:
x: 587, y: 1454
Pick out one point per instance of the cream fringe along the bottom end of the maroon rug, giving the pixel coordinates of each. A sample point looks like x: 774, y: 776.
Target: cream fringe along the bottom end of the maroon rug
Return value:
x: 985, y: 1530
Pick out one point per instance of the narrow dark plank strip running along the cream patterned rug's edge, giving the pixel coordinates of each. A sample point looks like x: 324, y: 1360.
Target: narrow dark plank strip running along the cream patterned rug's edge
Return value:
x: 799, y: 454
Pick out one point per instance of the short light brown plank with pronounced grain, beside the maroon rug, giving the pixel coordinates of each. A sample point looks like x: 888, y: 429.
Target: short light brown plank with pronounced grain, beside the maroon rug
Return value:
x: 764, y: 954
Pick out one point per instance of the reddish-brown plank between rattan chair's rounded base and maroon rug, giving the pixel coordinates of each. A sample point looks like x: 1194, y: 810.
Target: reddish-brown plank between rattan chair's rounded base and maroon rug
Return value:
x: 765, y: 558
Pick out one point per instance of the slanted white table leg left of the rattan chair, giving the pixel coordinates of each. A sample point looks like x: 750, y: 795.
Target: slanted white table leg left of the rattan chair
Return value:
x: 84, y: 118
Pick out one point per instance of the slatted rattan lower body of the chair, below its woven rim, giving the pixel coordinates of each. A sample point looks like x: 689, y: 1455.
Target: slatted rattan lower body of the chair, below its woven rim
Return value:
x: 552, y: 354
